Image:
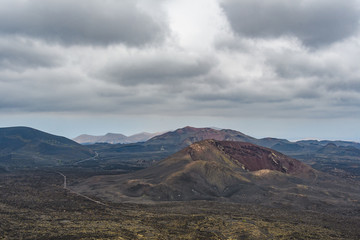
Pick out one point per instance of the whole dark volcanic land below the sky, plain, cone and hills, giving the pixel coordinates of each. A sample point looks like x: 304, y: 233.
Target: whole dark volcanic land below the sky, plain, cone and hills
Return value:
x: 192, y: 183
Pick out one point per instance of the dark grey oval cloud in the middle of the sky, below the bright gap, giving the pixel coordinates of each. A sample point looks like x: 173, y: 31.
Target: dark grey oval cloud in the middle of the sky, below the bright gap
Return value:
x: 157, y: 68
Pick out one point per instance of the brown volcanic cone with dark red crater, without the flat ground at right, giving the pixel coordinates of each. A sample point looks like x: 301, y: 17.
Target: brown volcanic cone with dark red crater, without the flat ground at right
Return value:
x: 209, y: 170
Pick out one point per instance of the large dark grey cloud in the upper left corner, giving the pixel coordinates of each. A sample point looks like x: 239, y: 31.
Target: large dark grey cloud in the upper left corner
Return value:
x: 93, y: 22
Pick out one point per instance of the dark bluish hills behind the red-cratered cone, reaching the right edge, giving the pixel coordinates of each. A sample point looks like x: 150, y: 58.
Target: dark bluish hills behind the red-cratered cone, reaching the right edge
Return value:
x: 343, y: 161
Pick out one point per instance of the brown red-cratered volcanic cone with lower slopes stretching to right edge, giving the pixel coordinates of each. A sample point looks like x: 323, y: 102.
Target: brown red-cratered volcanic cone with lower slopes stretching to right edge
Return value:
x: 227, y: 171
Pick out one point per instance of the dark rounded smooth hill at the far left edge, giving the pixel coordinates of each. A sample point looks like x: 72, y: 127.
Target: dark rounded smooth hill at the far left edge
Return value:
x: 23, y: 147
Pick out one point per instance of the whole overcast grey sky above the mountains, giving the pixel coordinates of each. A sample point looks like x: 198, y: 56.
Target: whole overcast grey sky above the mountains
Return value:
x: 279, y: 68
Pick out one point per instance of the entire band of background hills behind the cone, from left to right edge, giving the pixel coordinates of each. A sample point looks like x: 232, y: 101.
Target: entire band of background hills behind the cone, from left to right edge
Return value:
x: 29, y: 148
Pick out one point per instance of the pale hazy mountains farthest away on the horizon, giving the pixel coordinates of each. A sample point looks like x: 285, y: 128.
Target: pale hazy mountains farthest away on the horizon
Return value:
x: 114, y: 138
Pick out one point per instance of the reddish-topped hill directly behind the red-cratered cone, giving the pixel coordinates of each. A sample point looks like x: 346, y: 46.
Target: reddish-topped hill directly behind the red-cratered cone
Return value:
x: 161, y: 146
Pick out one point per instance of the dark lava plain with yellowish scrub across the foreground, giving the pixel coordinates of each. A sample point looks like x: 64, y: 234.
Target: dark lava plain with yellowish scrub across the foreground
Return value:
x: 34, y: 205
